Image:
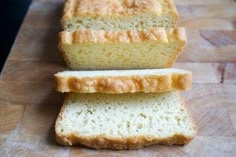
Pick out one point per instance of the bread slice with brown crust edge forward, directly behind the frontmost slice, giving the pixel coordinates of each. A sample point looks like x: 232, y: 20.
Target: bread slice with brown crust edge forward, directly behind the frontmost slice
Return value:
x: 124, y: 81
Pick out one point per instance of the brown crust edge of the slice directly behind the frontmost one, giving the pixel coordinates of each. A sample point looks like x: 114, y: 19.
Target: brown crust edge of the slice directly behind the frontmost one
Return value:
x: 124, y: 84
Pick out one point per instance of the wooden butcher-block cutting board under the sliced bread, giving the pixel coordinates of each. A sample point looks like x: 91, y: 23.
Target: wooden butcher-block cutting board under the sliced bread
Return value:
x: 29, y: 103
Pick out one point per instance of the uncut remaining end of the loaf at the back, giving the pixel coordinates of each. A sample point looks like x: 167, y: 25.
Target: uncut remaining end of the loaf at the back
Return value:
x: 118, y: 15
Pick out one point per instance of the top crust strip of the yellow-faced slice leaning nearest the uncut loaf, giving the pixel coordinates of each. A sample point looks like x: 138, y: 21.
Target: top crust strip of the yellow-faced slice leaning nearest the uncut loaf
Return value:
x: 128, y: 36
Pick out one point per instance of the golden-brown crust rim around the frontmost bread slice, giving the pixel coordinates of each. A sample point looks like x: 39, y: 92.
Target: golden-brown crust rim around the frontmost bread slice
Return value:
x: 103, y: 141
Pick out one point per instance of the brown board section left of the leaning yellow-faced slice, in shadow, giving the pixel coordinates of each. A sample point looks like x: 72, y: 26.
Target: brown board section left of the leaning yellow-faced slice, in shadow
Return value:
x: 32, y: 44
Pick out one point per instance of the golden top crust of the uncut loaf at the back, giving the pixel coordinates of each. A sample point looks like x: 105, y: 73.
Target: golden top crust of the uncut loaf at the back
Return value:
x: 74, y: 8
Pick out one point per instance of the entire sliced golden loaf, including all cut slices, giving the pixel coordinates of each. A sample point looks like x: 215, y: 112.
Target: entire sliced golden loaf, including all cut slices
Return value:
x: 121, y: 92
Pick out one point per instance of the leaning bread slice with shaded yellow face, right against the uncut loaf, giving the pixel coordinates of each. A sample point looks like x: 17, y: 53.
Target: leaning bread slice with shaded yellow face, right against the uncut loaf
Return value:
x: 152, y: 48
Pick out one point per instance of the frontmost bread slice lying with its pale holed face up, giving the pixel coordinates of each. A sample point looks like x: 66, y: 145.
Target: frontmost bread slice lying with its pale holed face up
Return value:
x: 124, y: 121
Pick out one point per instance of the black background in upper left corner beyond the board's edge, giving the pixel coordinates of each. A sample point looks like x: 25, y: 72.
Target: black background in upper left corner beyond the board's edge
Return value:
x: 12, y: 13
